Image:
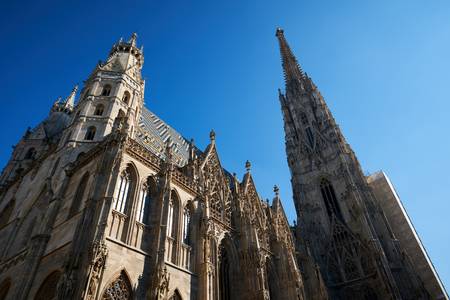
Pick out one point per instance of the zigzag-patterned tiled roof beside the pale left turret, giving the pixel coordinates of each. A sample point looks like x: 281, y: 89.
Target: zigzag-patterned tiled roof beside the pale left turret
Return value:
x: 153, y: 134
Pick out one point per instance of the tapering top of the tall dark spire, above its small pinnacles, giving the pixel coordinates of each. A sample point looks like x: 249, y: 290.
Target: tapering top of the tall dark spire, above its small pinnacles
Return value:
x: 293, y: 74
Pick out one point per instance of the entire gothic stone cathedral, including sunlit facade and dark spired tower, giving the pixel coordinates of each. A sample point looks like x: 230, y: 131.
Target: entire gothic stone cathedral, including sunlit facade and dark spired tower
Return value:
x: 104, y: 200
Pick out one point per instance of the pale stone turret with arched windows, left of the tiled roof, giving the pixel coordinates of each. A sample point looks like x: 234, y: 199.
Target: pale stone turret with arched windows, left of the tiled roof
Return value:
x: 115, y: 89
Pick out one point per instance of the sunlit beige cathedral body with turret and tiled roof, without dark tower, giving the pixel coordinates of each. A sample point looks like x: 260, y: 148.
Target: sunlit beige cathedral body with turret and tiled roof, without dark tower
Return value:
x: 103, y: 200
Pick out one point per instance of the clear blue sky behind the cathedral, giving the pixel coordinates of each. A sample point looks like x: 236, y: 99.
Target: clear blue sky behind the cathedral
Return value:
x: 381, y: 65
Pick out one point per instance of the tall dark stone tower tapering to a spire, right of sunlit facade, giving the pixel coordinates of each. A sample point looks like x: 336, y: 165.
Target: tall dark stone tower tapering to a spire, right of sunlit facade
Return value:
x: 339, y: 222
